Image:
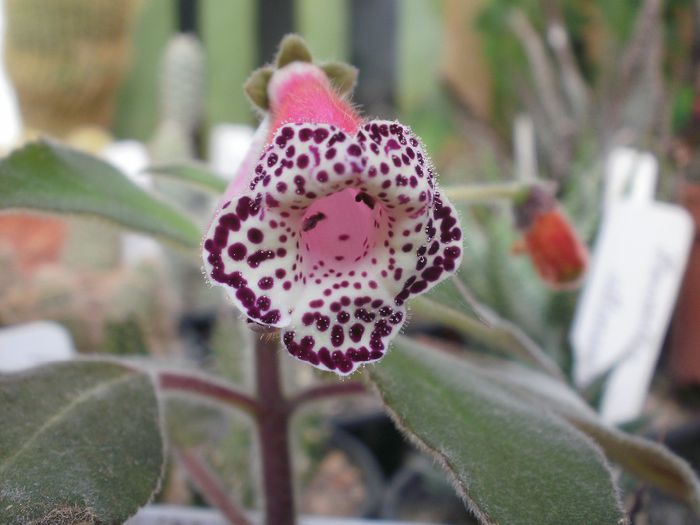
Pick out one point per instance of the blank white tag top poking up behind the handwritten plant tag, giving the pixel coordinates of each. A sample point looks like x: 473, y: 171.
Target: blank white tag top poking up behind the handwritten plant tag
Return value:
x: 629, y: 175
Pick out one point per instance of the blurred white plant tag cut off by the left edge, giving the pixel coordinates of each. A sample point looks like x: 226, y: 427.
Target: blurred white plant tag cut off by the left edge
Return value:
x: 27, y: 345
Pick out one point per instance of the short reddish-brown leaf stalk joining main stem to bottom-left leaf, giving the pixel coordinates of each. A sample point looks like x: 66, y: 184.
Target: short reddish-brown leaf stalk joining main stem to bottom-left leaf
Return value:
x: 207, y: 387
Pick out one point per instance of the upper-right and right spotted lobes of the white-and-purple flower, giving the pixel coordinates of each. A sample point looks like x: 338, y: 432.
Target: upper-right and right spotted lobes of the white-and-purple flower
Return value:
x: 424, y: 241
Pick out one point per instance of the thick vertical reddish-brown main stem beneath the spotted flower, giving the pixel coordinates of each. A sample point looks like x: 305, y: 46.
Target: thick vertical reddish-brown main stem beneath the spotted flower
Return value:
x: 273, y: 431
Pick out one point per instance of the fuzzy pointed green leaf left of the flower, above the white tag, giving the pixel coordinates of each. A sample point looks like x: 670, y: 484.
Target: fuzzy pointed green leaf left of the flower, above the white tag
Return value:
x: 47, y: 177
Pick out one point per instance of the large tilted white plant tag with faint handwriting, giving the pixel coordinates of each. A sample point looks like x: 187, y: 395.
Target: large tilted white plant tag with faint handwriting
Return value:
x: 628, y: 299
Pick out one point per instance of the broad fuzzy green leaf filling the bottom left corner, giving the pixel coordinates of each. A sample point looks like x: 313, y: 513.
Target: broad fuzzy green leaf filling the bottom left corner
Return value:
x: 80, y: 442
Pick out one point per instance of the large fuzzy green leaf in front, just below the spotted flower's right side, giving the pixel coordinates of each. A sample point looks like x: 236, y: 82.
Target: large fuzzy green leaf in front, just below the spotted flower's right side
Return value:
x: 511, y: 461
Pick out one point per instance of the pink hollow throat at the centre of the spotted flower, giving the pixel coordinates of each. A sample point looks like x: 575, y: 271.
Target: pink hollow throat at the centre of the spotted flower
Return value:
x: 340, y: 230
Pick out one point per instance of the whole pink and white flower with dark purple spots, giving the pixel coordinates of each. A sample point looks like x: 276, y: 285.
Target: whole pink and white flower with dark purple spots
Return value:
x: 341, y: 224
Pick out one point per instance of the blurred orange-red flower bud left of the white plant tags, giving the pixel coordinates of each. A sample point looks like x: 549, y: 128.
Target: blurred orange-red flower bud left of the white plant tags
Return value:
x: 557, y: 253
